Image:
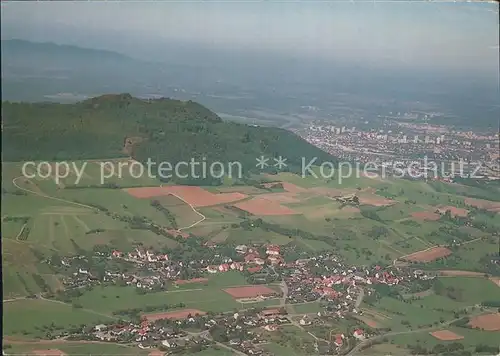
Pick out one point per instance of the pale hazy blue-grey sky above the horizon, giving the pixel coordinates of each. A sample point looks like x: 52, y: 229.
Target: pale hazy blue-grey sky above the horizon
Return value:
x: 419, y: 35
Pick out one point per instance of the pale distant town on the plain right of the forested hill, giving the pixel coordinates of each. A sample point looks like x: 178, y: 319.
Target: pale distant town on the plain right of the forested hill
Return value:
x: 399, y: 142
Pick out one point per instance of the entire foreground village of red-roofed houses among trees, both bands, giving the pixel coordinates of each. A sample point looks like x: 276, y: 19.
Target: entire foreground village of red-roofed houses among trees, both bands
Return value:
x: 323, y: 278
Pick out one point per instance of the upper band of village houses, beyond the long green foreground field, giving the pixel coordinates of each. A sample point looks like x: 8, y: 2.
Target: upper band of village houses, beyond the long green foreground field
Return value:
x: 335, y: 281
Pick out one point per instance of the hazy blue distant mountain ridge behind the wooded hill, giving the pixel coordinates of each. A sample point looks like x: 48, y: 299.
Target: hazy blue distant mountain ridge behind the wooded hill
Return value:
x: 36, y: 71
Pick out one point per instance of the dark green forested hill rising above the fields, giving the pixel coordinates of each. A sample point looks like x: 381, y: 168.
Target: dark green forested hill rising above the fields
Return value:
x: 161, y: 129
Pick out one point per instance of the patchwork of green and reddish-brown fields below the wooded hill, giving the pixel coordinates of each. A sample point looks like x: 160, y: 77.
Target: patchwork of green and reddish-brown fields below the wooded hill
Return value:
x: 301, y: 216
